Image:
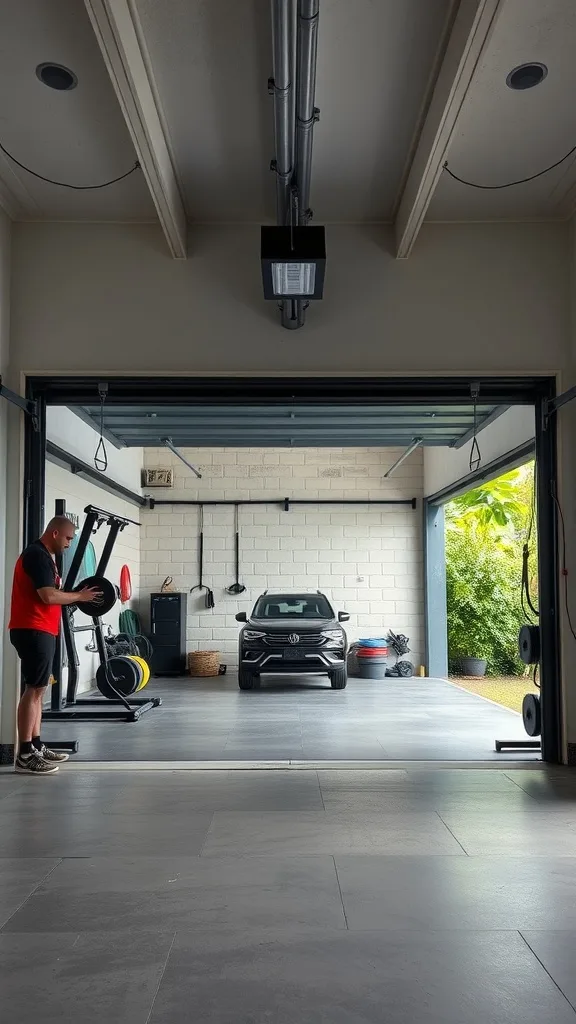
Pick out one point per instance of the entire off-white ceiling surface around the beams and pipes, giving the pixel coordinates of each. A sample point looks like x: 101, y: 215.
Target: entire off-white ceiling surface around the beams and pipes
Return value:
x: 210, y: 61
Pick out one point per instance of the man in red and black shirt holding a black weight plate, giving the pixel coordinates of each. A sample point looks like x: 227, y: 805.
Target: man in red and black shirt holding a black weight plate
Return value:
x: 35, y: 623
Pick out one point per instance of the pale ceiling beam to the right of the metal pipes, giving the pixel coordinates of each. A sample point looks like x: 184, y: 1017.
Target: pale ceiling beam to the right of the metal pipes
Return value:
x: 472, y: 29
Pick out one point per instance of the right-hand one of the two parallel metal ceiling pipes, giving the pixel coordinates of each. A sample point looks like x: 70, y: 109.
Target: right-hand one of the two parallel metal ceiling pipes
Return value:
x: 307, y: 115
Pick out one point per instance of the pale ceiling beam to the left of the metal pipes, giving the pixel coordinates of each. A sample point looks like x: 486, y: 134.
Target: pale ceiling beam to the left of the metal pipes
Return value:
x: 120, y: 38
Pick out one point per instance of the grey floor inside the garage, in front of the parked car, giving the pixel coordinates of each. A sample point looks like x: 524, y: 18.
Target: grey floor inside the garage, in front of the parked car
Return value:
x: 284, y: 720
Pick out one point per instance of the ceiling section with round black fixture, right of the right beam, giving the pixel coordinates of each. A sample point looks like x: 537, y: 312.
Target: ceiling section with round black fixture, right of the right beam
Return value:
x: 503, y: 135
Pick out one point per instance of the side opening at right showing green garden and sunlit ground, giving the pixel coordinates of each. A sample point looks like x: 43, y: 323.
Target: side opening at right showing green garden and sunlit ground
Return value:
x: 492, y: 593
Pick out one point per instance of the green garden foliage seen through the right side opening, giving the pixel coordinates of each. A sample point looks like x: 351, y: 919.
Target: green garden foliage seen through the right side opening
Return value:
x: 486, y: 531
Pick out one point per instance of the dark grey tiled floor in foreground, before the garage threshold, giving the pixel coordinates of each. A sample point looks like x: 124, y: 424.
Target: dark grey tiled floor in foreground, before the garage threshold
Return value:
x: 334, y: 898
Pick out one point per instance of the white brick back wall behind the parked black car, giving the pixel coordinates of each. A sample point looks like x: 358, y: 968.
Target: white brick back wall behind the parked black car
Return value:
x: 367, y: 560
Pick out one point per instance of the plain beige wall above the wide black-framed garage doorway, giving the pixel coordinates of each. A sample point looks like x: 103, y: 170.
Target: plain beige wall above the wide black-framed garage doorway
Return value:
x: 108, y: 297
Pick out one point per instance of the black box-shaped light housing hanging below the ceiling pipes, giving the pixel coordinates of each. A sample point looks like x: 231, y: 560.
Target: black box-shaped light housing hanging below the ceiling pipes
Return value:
x: 294, y: 263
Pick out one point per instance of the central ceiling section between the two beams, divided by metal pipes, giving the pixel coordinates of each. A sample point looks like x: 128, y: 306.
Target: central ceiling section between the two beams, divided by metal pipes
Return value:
x: 212, y: 62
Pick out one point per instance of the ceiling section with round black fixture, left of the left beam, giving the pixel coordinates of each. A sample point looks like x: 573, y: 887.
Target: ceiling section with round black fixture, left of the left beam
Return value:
x: 78, y: 137
